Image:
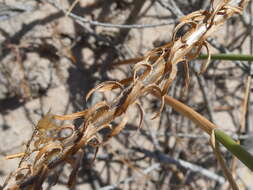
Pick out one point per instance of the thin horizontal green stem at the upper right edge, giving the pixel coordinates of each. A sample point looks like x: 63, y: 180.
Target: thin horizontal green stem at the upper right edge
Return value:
x: 231, y: 57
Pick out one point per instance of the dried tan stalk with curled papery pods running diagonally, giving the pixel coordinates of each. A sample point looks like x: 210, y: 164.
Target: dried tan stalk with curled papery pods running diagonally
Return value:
x: 154, y: 73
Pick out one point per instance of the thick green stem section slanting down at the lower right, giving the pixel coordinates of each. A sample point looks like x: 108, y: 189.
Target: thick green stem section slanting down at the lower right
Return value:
x: 234, y: 148
